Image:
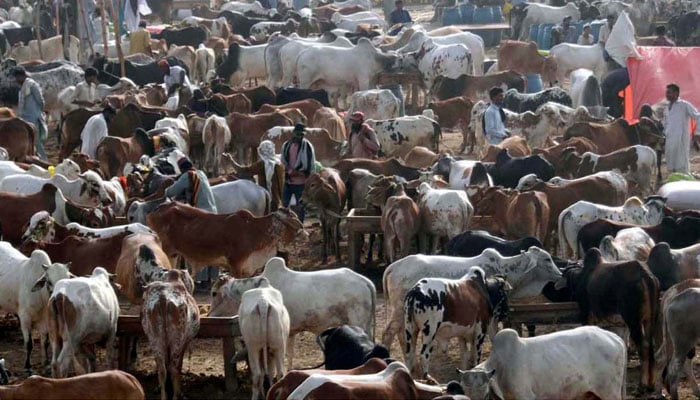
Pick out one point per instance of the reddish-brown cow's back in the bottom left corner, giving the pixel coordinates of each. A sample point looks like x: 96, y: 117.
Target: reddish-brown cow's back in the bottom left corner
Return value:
x: 105, y: 385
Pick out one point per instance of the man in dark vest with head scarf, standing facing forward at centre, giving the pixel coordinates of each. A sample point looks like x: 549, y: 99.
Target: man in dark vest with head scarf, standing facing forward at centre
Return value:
x: 299, y: 161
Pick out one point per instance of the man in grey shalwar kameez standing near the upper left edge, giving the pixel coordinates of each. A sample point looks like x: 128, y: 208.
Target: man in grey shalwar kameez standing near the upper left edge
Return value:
x: 30, y: 107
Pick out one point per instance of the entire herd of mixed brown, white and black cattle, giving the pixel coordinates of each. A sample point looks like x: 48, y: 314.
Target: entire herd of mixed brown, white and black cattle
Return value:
x: 564, y: 209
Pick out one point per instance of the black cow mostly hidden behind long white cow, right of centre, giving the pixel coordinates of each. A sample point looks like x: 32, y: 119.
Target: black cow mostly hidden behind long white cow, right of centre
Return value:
x: 473, y: 243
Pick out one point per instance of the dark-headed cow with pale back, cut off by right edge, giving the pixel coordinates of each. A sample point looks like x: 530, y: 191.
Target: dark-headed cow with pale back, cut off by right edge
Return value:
x: 671, y: 266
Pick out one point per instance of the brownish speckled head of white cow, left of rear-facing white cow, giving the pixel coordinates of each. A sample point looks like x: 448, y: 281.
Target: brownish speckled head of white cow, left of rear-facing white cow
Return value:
x: 226, y: 294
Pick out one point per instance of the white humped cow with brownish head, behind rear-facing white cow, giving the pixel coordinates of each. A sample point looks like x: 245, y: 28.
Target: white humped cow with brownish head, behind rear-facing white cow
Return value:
x: 339, y: 296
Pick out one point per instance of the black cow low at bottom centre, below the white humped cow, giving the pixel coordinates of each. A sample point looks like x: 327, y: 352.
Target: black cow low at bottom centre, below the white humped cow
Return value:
x: 347, y: 347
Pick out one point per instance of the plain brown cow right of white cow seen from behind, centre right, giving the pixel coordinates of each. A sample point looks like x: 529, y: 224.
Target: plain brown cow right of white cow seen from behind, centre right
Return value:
x: 516, y: 215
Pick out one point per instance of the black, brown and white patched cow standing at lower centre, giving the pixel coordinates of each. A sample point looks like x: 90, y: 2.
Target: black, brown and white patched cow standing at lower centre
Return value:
x: 469, y: 308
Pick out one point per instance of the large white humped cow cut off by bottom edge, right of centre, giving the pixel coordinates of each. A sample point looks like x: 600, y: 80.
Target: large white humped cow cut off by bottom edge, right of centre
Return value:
x: 551, y: 366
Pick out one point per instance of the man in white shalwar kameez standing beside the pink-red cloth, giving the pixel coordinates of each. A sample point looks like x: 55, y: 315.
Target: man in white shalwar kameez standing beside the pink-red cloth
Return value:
x: 676, y: 124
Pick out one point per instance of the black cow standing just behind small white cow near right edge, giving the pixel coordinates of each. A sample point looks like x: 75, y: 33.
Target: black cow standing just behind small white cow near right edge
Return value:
x: 677, y: 233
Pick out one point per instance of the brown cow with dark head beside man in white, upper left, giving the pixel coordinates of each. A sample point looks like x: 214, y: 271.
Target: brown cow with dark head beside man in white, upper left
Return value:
x: 114, y: 152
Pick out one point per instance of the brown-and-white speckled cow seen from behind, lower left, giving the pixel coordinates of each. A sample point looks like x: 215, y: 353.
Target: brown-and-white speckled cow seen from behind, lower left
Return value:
x: 170, y: 320
